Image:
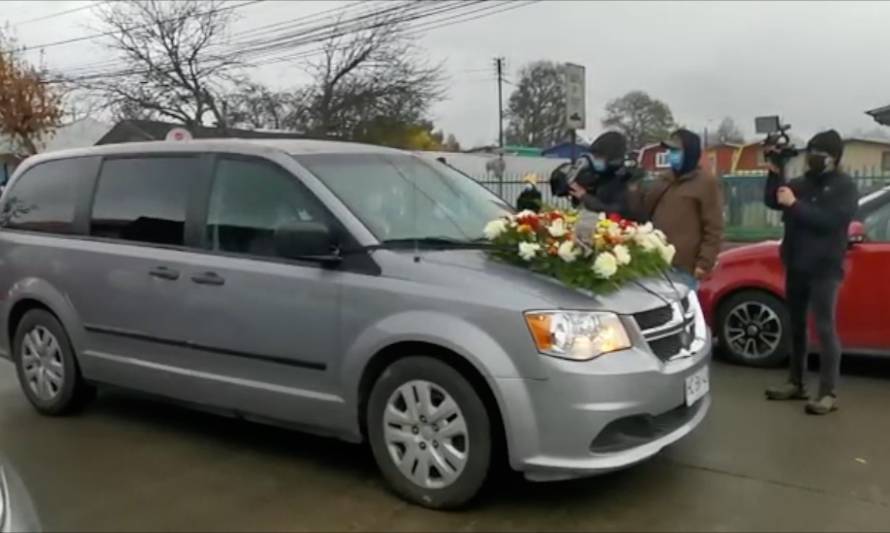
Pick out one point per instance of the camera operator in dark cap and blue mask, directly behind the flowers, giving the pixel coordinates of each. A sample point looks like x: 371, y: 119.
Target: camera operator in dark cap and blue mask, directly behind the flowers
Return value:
x: 605, y: 186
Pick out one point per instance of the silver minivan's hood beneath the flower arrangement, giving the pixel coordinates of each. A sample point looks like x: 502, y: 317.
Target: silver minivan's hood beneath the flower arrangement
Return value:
x: 481, y: 276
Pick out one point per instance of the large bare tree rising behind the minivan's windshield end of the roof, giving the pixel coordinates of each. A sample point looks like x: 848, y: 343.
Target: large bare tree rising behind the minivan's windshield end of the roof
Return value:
x: 366, y: 73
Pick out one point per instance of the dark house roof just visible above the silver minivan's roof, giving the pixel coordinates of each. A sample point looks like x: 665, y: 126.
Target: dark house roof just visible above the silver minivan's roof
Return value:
x: 152, y: 130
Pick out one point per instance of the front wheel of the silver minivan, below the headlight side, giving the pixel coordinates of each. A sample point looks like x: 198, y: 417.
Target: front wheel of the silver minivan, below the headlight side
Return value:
x: 430, y: 433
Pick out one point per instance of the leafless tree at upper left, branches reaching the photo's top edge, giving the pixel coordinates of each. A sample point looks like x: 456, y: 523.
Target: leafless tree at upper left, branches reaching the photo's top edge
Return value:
x: 170, y: 72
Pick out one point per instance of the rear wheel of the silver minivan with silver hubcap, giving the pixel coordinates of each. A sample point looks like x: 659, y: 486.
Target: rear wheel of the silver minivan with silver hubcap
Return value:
x: 46, y: 365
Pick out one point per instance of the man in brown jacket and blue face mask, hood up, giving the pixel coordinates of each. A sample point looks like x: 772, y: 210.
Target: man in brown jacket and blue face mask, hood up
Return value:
x: 687, y: 205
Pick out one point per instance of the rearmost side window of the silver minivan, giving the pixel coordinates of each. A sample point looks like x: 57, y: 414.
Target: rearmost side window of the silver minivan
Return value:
x: 44, y: 197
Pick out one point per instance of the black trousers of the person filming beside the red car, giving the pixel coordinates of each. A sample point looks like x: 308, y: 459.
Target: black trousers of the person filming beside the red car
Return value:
x: 819, y: 296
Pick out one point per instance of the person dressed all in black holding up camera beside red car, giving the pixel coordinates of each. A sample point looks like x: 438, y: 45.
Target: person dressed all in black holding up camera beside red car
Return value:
x: 817, y: 210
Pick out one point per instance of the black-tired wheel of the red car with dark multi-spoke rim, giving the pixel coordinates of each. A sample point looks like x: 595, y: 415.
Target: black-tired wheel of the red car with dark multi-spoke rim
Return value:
x: 753, y: 329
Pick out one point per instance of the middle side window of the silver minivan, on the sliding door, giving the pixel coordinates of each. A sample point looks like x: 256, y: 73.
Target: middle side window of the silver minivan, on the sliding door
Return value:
x: 144, y: 199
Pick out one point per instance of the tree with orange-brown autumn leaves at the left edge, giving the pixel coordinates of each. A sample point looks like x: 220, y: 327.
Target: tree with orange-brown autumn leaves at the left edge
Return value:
x: 30, y: 109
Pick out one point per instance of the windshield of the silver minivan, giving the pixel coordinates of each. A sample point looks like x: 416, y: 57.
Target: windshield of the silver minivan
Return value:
x: 401, y: 197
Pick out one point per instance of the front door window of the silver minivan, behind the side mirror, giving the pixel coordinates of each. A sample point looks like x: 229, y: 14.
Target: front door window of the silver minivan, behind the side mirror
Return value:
x: 249, y: 200
